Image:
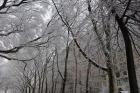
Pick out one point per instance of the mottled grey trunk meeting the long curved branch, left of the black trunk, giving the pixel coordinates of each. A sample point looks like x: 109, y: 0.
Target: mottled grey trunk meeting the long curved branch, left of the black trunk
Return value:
x: 107, y: 53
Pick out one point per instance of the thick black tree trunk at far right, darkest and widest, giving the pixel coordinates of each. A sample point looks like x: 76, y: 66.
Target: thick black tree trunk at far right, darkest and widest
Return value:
x: 129, y: 55
